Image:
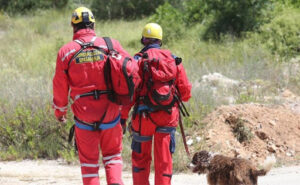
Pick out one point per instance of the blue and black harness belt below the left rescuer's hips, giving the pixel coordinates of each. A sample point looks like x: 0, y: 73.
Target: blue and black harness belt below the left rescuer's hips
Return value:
x: 96, y: 126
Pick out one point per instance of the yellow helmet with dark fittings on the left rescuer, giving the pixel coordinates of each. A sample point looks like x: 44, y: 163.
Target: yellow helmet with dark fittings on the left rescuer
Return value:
x: 82, y: 14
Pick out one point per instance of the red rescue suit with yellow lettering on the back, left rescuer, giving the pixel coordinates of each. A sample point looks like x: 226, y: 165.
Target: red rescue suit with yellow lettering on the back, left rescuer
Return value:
x: 80, y: 78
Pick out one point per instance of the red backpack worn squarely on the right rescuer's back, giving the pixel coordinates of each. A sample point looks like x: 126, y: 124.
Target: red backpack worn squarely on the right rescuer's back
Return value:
x: 159, y: 72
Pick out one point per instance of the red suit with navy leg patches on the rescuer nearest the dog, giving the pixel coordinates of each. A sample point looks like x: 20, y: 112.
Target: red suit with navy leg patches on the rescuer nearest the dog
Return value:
x: 161, y: 127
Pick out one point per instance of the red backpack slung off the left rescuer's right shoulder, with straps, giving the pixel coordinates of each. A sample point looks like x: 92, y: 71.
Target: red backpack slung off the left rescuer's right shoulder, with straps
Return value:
x: 120, y: 73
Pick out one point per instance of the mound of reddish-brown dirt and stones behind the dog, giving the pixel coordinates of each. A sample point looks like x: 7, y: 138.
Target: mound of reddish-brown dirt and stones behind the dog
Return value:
x: 254, y: 131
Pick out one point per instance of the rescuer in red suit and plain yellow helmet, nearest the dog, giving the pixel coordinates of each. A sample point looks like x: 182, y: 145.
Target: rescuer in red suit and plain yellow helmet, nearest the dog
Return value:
x: 154, y: 125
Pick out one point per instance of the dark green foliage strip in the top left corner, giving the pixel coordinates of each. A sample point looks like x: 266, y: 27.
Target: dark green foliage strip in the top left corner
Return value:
x: 22, y: 6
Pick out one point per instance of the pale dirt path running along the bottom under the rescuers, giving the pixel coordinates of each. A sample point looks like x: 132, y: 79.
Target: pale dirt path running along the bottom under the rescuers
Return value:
x: 54, y: 173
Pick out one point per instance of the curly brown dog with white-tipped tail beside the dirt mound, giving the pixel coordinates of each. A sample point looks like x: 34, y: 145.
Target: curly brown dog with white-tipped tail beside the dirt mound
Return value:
x: 222, y: 170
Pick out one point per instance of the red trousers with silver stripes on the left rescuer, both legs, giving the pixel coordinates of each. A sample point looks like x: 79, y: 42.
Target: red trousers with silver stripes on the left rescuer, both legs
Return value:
x: 110, y: 142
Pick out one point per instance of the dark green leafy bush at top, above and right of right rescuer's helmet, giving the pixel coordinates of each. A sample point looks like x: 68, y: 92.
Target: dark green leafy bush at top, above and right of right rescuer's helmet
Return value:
x: 220, y: 16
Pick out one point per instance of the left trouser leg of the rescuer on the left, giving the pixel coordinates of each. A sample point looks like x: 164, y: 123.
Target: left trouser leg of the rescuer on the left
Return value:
x: 88, y: 152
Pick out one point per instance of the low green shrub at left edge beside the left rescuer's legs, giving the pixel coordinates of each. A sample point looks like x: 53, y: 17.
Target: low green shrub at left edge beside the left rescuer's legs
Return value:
x: 28, y: 132
